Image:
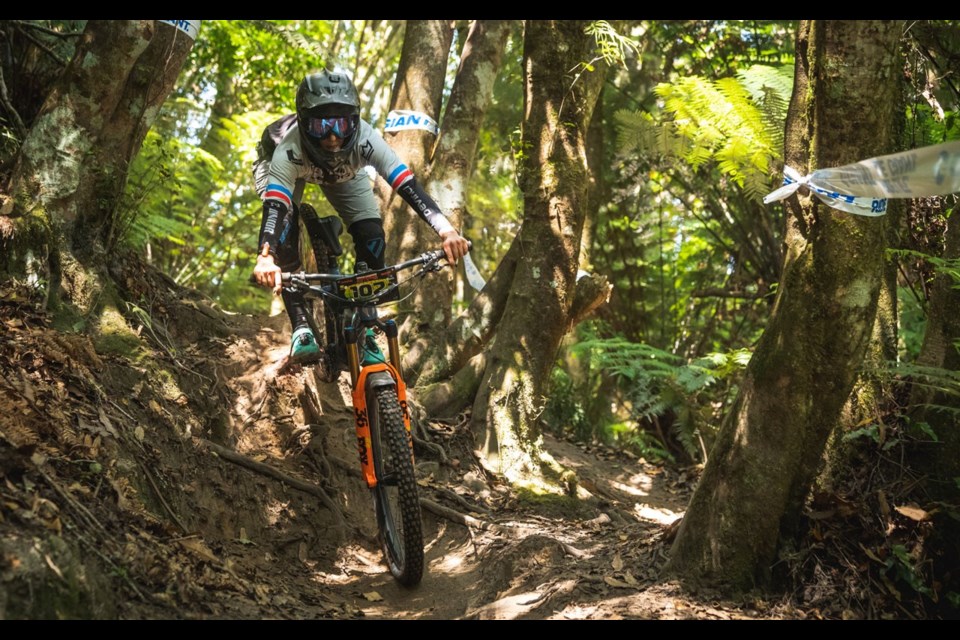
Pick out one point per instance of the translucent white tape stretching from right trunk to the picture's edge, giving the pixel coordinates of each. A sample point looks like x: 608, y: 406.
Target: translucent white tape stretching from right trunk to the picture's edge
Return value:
x: 863, y: 187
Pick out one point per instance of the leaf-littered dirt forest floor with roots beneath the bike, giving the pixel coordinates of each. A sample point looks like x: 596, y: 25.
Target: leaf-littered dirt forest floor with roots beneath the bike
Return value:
x: 176, y: 468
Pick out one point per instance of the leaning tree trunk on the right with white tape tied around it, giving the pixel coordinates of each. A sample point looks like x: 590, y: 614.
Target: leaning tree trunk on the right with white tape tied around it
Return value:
x: 769, y: 448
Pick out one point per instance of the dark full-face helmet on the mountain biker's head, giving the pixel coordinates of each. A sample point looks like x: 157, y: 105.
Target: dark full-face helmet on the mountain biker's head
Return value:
x: 327, y: 104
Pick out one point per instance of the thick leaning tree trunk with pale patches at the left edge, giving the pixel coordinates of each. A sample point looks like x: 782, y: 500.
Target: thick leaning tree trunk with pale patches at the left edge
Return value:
x: 72, y: 167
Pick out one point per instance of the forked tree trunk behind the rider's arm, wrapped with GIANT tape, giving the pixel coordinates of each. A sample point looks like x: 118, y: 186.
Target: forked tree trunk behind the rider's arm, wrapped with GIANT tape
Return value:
x: 442, y: 165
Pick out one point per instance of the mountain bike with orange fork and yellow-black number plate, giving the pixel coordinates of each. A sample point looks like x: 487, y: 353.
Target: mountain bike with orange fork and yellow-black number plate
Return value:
x: 344, y: 328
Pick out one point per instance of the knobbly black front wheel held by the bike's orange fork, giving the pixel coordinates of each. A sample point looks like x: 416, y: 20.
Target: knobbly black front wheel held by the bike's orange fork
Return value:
x: 395, y: 496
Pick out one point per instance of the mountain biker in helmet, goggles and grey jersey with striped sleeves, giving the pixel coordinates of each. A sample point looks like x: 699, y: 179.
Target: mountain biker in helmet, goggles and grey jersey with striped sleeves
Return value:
x: 328, y: 144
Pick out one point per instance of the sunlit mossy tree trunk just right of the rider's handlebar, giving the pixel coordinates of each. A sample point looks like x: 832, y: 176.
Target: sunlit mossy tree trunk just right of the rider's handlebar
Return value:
x: 559, y: 98
